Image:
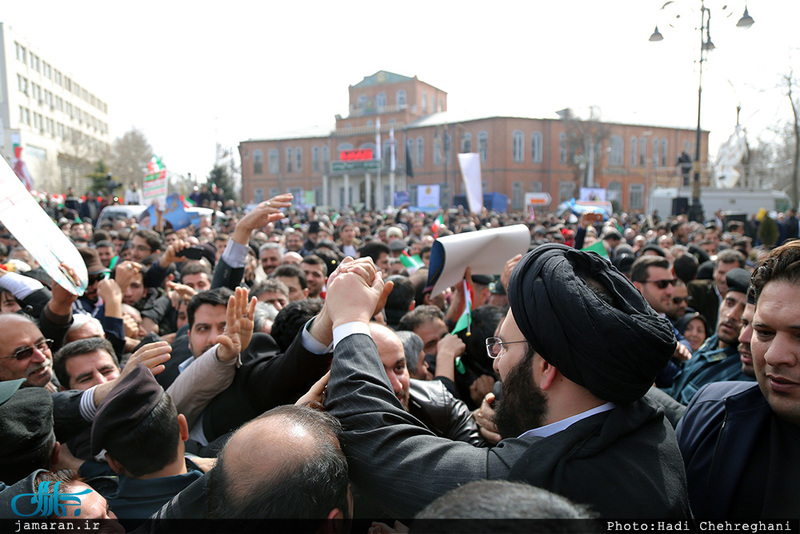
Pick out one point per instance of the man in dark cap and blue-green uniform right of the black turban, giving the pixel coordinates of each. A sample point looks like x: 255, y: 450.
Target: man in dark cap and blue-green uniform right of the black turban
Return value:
x: 718, y: 358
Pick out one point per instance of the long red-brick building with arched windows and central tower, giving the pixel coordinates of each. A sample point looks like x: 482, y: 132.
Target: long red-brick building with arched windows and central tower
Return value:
x: 518, y: 154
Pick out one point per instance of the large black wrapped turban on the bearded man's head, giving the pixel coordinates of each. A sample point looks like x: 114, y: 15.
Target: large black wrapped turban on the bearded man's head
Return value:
x: 614, y: 351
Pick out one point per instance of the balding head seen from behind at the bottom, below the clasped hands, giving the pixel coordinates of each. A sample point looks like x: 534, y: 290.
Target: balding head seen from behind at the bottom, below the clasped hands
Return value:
x: 259, y: 476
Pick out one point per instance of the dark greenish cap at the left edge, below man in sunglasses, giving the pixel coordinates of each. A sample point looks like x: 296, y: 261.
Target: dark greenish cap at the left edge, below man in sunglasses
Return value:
x: 26, y: 418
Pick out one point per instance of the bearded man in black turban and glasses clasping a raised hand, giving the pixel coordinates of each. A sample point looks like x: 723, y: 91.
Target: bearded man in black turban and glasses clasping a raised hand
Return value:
x: 576, y: 354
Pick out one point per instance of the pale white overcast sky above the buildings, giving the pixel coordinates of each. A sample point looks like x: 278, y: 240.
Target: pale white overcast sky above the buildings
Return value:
x: 190, y: 74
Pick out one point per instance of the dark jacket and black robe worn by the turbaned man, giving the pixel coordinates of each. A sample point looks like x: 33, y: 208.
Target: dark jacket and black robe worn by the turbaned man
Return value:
x: 625, y: 462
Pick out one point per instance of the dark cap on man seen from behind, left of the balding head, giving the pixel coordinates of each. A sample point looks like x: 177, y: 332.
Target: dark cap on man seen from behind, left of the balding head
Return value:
x: 130, y: 402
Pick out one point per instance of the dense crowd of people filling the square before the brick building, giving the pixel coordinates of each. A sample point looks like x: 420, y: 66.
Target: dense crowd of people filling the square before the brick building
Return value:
x: 296, y: 365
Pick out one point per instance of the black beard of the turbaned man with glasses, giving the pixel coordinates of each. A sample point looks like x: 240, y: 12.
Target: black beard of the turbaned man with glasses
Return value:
x: 523, y: 405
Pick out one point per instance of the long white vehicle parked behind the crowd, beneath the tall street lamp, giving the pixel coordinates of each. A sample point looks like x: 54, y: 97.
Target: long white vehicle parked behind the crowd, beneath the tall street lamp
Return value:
x: 674, y: 201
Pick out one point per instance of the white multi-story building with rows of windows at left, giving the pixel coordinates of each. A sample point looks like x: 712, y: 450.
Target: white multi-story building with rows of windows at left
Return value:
x: 61, y: 126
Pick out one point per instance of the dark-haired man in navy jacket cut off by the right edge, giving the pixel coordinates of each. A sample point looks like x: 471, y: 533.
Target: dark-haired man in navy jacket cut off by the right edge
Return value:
x: 740, y: 439
